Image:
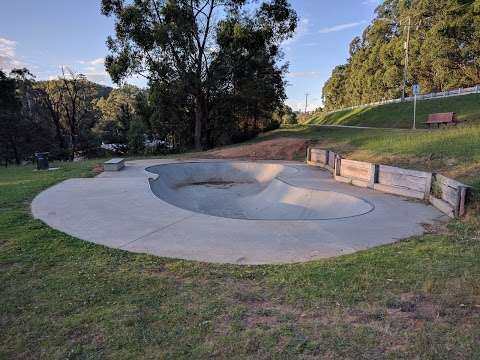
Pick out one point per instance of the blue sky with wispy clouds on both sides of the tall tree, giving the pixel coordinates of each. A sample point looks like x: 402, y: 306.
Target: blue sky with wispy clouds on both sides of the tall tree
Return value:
x: 44, y: 35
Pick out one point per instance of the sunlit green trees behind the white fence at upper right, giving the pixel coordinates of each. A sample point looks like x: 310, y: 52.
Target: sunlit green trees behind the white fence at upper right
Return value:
x: 444, y: 52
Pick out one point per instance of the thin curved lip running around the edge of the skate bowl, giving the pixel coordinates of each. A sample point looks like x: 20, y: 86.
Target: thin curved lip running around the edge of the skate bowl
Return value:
x: 151, y: 180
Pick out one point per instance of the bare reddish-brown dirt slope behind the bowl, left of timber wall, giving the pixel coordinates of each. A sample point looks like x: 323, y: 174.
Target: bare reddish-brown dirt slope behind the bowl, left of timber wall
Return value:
x: 277, y: 149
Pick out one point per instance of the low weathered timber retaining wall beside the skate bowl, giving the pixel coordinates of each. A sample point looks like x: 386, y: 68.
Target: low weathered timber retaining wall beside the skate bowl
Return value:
x: 447, y: 195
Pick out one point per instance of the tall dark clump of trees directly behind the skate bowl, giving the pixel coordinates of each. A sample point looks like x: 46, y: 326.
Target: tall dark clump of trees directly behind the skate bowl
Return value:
x: 212, y: 65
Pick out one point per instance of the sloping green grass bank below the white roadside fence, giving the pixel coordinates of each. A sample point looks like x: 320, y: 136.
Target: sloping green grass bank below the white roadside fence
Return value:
x: 400, y: 115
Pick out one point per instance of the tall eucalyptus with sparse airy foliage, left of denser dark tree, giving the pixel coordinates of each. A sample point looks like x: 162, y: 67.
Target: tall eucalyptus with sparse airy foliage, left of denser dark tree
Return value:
x: 174, y: 44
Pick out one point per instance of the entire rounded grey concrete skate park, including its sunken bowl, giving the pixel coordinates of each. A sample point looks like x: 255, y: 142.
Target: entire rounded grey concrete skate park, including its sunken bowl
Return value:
x: 229, y: 211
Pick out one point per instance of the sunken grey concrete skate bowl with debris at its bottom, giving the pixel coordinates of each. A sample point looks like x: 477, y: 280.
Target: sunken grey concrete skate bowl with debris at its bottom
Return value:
x: 249, y: 191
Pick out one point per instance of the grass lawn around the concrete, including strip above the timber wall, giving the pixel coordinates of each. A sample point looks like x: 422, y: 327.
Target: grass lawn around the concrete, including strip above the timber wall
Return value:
x: 62, y: 298
